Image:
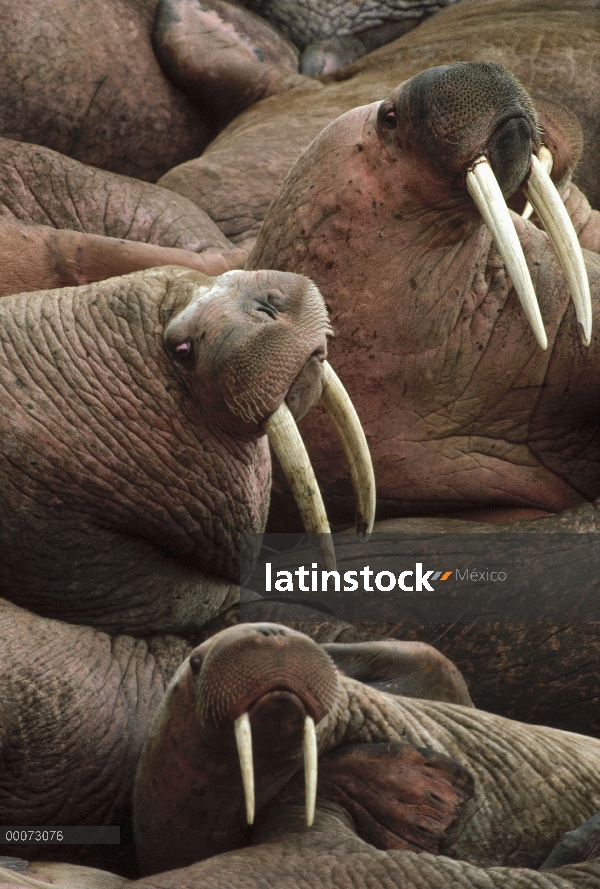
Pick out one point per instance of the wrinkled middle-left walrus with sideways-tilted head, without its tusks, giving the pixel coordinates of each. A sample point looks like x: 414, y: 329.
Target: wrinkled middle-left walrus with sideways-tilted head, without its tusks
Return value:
x: 126, y: 475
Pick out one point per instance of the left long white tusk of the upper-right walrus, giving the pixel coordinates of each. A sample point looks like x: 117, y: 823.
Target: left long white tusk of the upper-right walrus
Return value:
x: 490, y: 202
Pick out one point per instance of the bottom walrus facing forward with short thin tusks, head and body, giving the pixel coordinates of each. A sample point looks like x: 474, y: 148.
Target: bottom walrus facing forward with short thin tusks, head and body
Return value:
x: 254, y: 703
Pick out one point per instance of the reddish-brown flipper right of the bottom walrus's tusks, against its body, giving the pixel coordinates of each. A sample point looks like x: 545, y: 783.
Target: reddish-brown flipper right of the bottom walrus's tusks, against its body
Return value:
x: 399, y: 796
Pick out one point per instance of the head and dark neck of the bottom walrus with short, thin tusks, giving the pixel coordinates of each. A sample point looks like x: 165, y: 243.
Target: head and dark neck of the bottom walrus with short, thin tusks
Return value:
x: 250, y: 699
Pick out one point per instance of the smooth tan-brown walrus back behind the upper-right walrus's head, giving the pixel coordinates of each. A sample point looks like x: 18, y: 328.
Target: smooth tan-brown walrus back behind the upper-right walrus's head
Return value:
x: 237, y: 177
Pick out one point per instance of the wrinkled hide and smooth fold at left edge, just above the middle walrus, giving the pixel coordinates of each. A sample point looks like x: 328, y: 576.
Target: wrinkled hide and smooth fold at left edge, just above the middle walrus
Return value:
x: 108, y: 225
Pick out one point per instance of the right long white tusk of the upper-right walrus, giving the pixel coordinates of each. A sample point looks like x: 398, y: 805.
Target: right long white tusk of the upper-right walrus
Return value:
x: 548, y: 205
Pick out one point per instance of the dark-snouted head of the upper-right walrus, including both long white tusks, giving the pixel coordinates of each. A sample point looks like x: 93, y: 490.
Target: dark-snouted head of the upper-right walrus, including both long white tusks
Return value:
x: 471, y: 129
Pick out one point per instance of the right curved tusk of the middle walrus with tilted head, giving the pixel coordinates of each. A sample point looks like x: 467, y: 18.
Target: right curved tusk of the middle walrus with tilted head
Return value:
x: 336, y: 402
